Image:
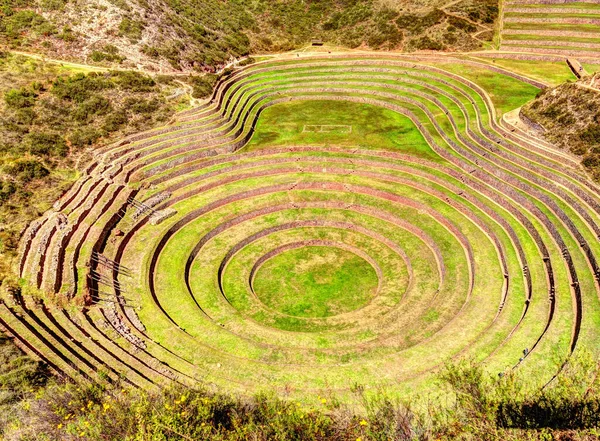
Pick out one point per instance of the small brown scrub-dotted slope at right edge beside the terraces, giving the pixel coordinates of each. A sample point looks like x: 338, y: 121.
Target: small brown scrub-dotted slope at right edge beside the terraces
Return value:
x: 569, y: 117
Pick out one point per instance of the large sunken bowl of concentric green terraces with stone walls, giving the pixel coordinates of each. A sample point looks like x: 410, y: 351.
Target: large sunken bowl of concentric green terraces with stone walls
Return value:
x: 321, y: 223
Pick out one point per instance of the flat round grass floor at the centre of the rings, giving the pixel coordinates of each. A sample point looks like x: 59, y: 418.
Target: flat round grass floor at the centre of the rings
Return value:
x: 316, y: 281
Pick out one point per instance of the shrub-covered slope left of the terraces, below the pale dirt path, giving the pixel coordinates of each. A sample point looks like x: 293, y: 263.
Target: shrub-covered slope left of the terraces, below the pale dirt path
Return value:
x: 49, y: 121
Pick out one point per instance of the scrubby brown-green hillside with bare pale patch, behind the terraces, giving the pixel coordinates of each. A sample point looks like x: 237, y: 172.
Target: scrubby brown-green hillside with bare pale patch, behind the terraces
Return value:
x: 165, y: 35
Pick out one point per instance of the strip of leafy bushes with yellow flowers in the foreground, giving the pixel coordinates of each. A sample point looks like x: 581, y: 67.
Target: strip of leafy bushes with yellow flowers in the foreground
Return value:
x: 478, y: 407
